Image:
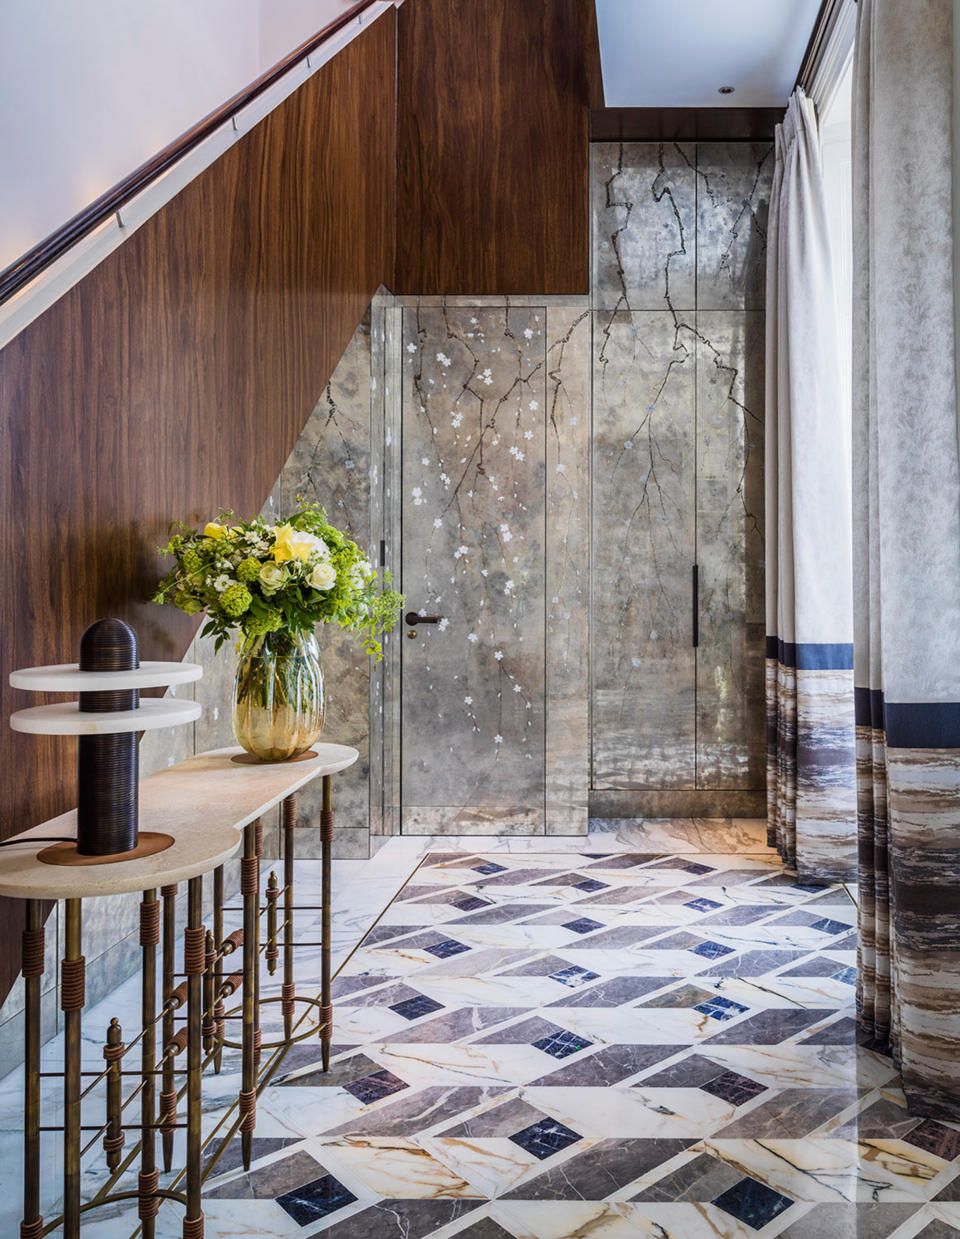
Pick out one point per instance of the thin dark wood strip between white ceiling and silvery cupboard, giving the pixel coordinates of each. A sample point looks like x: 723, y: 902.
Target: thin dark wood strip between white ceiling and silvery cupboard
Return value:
x: 684, y: 125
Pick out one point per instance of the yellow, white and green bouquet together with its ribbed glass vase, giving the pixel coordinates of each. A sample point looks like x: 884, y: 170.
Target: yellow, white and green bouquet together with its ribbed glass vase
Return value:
x: 273, y: 584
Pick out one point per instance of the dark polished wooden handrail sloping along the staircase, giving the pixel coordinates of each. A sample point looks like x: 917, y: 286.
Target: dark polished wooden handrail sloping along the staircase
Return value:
x: 29, y: 266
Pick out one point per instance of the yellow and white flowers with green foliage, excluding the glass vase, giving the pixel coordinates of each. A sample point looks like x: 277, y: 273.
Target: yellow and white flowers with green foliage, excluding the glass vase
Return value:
x: 255, y: 578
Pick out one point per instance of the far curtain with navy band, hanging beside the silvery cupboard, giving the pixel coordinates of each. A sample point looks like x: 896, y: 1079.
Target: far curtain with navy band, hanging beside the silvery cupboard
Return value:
x: 811, y: 742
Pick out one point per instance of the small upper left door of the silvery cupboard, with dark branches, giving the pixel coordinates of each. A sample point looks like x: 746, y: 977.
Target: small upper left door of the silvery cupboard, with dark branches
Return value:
x: 645, y: 225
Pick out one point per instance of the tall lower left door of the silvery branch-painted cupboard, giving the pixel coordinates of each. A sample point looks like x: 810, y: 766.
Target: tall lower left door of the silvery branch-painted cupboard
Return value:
x: 645, y: 462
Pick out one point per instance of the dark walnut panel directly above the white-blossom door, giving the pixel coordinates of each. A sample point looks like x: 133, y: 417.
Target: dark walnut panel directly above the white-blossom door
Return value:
x: 492, y: 148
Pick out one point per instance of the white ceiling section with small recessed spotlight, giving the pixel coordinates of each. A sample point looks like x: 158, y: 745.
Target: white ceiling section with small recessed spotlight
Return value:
x: 677, y: 54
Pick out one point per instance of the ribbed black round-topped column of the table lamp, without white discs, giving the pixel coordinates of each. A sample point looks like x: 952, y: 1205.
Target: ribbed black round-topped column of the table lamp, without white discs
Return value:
x: 108, y: 765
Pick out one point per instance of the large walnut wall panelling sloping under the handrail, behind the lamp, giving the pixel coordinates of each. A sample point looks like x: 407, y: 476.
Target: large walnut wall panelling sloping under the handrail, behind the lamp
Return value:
x: 177, y: 377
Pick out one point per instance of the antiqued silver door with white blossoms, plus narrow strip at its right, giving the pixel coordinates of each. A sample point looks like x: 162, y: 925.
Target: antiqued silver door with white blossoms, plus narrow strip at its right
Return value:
x: 491, y: 464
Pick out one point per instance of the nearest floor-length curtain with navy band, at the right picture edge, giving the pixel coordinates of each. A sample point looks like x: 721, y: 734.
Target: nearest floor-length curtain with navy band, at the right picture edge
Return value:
x: 907, y: 545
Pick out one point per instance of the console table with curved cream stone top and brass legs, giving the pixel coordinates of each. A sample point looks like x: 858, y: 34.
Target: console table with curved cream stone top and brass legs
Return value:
x: 211, y: 806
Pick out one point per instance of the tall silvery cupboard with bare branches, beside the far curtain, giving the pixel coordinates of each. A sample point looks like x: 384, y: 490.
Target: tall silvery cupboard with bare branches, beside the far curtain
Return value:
x: 679, y: 272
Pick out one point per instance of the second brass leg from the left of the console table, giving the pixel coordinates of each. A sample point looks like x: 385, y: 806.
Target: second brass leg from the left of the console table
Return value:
x: 71, y: 1000
